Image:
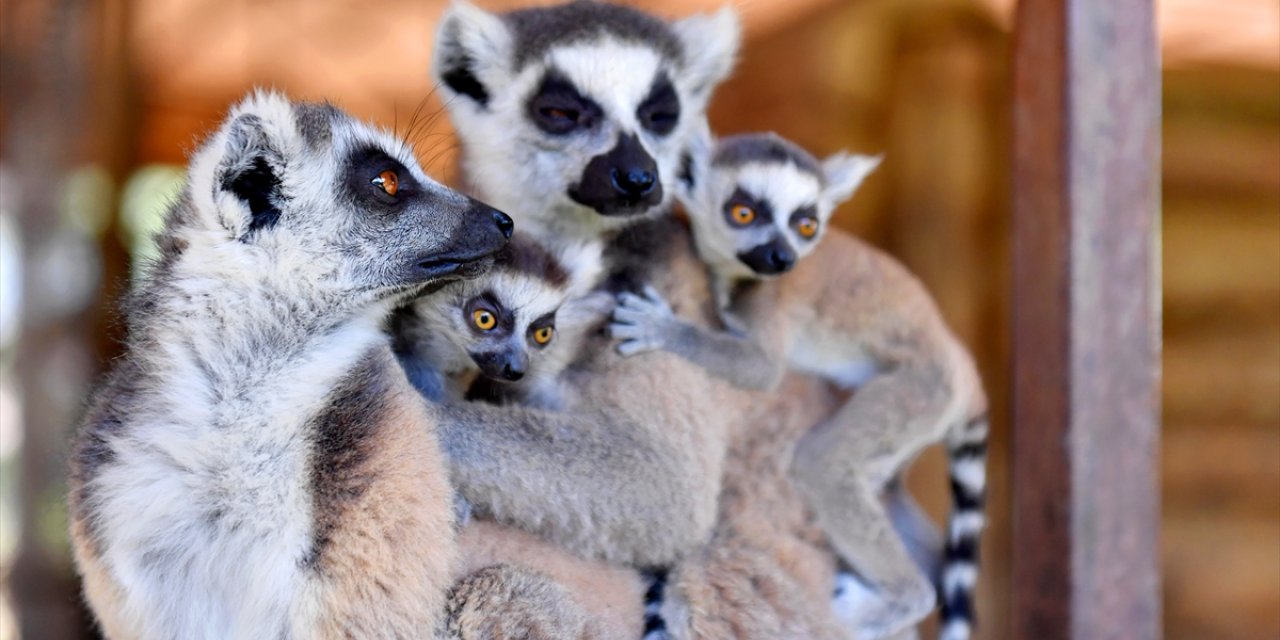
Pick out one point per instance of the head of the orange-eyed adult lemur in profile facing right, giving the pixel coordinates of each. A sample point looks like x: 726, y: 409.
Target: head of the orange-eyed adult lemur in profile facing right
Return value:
x: 307, y: 198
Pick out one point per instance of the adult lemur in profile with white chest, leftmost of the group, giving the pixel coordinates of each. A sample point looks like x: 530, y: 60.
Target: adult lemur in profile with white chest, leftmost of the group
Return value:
x: 257, y: 464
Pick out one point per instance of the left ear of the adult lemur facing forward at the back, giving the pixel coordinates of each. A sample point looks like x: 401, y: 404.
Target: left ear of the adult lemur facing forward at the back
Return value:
x: 473, y: 52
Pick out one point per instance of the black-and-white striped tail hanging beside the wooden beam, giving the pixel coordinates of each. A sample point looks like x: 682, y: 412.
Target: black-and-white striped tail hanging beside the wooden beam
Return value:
x: 967, y: 451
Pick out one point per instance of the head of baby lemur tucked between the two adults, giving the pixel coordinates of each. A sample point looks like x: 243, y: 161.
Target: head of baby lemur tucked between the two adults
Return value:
x: 506, y: 321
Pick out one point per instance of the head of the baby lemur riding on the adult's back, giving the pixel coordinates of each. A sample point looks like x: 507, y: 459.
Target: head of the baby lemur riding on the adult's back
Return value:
x: 758, y: 203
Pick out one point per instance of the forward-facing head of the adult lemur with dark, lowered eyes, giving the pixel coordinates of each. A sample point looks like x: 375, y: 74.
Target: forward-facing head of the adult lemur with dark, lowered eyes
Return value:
x: 574, y: 117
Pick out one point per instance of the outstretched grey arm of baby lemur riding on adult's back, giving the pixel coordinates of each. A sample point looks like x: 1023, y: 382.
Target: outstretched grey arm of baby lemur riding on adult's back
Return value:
x: 744, y: 355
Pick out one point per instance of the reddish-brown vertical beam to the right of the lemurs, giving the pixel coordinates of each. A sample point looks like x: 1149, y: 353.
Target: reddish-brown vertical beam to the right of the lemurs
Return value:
x: 1086, y: 321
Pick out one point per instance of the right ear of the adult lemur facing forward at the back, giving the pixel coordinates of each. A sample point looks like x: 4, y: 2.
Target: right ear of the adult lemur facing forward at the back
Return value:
x: 711, y: 47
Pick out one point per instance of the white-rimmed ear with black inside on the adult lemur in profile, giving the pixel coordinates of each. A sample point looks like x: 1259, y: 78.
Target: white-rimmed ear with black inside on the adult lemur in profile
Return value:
x: 241, y: 170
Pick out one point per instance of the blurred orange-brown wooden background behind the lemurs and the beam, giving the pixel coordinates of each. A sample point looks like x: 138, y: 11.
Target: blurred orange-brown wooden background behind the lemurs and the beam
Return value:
x: 122, y: 88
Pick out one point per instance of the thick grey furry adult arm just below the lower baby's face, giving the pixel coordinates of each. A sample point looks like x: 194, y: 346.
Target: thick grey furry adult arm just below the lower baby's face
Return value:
x: 600, y: 482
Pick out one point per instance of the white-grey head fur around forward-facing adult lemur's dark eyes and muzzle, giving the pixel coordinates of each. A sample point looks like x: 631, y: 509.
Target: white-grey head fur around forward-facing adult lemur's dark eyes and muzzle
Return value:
x: 491, y: 65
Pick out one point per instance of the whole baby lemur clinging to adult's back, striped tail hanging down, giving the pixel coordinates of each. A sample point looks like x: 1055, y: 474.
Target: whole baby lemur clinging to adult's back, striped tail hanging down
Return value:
x: 758, y: 205
